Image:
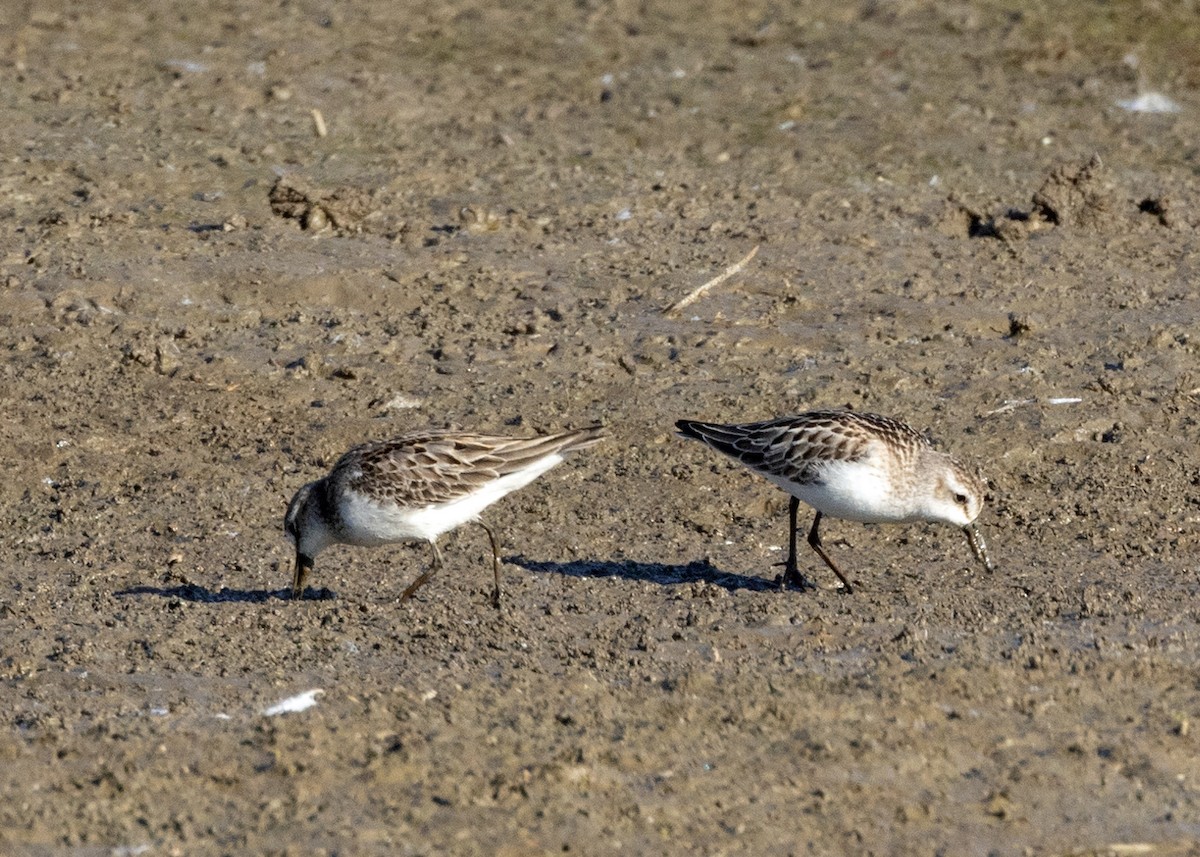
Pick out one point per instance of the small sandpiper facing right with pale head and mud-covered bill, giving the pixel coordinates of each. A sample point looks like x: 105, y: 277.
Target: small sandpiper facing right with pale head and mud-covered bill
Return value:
x: 859, y: 468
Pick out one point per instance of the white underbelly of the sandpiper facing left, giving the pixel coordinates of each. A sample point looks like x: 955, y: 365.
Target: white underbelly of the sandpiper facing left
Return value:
x: 369, y: 523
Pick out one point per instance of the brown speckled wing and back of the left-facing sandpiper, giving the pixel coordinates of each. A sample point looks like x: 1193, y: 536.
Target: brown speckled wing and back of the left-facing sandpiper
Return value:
x: 436, y: 468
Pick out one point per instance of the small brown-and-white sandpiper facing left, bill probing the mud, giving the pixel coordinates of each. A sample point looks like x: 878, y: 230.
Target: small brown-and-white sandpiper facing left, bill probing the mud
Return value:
x: 417, y: 488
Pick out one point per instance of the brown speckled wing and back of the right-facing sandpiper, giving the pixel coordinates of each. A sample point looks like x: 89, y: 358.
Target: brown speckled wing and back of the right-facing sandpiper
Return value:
x: 795, y: 447
